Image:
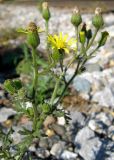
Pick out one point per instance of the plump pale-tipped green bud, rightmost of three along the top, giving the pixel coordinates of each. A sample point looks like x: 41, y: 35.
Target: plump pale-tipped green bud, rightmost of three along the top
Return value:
x: 98, y: 21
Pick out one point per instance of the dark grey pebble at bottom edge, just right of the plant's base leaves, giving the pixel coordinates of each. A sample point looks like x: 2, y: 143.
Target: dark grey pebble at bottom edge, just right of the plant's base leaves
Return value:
x: 42, y: 153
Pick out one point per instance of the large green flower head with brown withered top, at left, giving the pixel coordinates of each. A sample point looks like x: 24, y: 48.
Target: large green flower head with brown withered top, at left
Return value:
x: 33, y: 39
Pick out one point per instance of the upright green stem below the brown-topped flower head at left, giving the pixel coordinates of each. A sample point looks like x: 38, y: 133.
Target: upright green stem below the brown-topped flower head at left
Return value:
x: 35, y: 80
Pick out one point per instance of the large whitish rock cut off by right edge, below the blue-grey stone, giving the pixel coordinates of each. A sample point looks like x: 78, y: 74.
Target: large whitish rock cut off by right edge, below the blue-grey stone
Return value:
x: 104, y: 98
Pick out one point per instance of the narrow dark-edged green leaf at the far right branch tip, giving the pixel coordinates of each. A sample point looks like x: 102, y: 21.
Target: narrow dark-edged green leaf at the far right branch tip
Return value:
x: 104, y: 36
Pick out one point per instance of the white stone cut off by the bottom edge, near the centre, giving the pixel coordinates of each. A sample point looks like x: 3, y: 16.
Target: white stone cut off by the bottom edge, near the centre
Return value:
x: 67, y: 155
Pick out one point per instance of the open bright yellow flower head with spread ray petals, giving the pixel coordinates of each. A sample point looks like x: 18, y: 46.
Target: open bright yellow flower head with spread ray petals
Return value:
x: 62, y: 42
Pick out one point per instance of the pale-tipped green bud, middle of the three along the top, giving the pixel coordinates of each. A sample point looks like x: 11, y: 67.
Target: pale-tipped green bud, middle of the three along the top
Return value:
x: 76, y: 18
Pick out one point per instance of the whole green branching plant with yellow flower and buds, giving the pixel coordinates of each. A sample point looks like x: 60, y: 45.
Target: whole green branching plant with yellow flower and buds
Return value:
x: 80, y: 49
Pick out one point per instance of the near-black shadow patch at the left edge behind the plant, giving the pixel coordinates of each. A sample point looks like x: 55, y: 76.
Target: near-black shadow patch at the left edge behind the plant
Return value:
x: 9, y: 59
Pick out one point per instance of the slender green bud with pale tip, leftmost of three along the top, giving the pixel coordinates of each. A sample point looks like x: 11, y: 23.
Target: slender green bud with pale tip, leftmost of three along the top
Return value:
x: 45, y: 11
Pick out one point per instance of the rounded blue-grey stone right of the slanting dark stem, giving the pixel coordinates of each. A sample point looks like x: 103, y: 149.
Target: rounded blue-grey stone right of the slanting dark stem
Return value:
x: 81, y: 85
